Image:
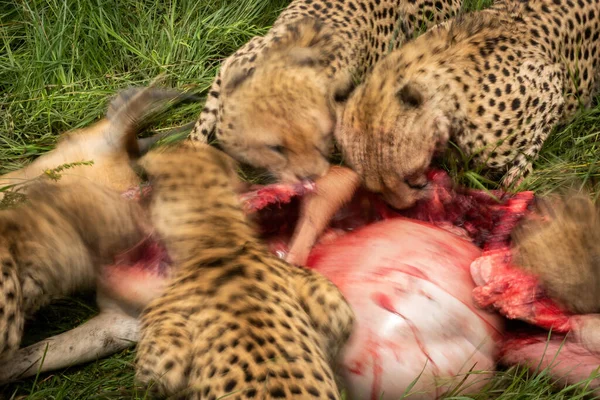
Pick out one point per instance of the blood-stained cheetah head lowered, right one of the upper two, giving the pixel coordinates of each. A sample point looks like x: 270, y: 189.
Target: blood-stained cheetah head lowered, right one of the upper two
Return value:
x: 389, y: 132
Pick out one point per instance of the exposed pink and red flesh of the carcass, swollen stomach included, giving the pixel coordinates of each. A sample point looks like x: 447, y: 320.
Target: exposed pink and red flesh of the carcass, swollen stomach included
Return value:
x: 410, y: 283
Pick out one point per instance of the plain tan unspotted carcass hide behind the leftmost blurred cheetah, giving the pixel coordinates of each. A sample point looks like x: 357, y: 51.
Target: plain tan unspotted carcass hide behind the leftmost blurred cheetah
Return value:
x: 110, y: 143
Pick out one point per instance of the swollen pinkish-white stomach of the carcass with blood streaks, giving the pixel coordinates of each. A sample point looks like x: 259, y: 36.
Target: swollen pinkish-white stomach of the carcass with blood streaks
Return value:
x: 410, y: 287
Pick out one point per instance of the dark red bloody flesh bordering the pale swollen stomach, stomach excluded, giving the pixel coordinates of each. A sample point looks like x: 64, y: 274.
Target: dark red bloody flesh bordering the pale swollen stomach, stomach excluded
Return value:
x: 487, y: 219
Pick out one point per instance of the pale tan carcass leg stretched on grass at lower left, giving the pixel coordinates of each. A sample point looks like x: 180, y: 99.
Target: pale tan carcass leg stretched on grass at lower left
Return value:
x: 101, y: 336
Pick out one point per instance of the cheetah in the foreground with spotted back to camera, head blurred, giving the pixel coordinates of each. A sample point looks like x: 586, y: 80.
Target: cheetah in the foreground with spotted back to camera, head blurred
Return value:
x: 235, y: 320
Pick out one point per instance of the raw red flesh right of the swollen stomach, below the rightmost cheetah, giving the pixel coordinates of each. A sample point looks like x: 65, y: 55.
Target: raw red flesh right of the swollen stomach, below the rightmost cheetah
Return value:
x: 567, y: 346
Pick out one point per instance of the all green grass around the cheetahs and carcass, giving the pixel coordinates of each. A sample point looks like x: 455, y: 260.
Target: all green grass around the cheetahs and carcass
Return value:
x: 60, y: 60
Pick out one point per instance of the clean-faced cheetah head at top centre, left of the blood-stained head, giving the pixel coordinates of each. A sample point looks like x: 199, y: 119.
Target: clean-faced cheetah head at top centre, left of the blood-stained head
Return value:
x: 280, y: 114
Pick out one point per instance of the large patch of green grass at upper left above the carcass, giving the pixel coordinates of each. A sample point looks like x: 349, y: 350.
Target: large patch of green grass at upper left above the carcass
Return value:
x: 59, y: 60
